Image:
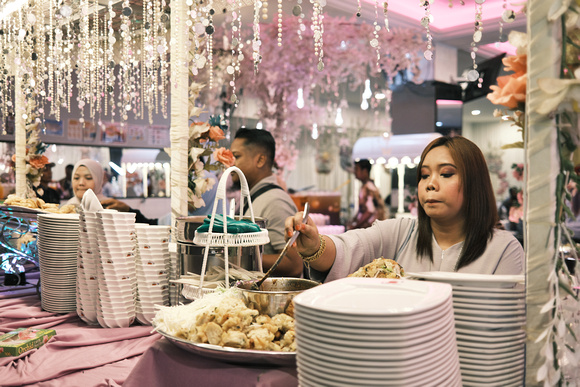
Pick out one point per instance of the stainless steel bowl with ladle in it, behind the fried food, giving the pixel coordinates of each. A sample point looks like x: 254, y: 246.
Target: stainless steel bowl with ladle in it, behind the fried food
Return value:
x: 275, y: 295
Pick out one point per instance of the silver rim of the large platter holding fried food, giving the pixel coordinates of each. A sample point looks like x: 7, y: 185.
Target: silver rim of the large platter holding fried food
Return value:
x: 234, y: 355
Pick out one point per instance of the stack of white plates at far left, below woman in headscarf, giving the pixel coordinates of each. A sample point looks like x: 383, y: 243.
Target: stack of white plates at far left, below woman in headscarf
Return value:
x: 58, y: 237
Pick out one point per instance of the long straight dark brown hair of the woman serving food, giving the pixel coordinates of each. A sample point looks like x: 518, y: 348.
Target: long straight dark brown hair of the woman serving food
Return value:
x: 479, y: 204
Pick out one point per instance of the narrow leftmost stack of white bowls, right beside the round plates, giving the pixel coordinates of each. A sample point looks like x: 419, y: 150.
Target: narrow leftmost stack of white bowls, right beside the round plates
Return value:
x: 87, y: 275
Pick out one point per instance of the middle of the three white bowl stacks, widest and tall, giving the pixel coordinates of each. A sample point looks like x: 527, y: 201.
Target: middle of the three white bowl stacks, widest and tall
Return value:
x: 116, y: 268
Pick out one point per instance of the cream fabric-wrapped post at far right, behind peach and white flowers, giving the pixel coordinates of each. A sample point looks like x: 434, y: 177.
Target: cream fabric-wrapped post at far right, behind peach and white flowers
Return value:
x: 542, y: 167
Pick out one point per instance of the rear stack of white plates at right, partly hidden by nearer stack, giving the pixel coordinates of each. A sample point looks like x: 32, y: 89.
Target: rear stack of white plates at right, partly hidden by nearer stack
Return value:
x: 490, y: 317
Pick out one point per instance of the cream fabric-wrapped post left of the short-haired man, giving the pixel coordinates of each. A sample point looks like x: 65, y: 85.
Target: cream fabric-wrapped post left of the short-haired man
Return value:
x: 179, y: 134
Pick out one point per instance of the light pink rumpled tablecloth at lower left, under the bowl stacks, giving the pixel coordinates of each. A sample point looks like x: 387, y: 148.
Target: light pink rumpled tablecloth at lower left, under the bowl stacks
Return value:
x: 79, y: 355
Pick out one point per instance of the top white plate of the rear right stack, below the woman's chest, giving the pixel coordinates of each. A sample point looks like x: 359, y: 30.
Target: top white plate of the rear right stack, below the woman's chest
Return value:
x: 465, y: 279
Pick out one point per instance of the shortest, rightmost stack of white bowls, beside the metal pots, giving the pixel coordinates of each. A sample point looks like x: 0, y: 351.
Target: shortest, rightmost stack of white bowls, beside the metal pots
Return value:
x: 152, y: 266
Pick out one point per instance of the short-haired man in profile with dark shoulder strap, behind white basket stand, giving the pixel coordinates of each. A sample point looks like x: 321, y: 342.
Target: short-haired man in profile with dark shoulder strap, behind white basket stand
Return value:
x: 254, y: 152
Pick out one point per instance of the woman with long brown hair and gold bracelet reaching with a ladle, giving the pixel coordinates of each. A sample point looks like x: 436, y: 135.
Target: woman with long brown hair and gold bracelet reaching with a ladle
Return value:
x: 455, y: 230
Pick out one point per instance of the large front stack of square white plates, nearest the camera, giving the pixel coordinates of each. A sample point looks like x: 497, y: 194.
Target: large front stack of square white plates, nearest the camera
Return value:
x: 381, y: 332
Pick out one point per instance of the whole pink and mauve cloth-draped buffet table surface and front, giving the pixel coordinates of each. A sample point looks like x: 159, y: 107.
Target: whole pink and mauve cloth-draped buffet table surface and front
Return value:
x: 89, y: 356
